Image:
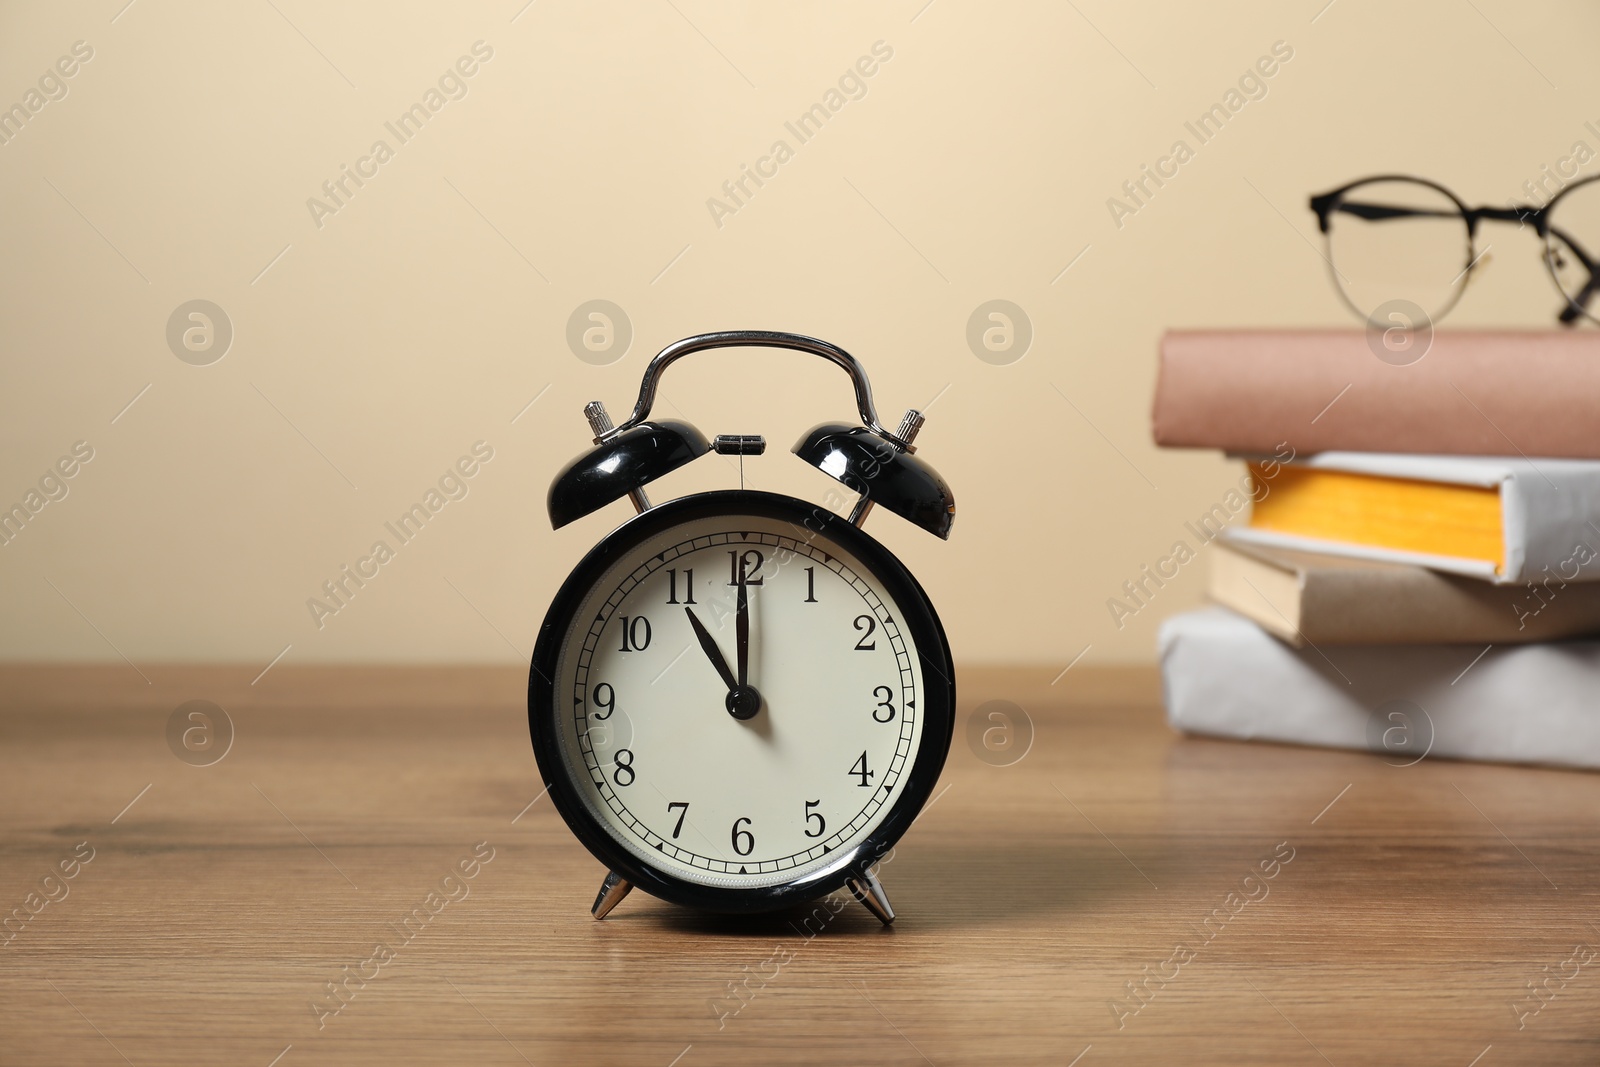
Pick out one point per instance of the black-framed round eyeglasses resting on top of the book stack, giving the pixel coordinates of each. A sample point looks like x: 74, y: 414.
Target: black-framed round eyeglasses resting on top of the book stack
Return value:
x: 1409, y: 246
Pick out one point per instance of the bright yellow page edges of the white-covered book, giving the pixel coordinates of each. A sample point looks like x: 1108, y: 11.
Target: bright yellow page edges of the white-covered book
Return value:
x: 1458, y: 521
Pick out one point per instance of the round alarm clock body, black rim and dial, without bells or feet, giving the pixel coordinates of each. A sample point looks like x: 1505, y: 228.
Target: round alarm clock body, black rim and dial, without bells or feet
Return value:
x: 713, y: 773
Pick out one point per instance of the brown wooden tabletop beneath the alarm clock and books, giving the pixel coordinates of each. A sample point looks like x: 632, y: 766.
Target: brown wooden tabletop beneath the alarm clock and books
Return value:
x: 1406, y: 914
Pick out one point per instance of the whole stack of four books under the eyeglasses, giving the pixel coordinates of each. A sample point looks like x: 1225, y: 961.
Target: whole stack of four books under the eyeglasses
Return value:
x: 1418, y: 572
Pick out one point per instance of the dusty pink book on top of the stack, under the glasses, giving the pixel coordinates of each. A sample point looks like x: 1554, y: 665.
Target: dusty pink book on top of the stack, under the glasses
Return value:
x: 1473, y: 394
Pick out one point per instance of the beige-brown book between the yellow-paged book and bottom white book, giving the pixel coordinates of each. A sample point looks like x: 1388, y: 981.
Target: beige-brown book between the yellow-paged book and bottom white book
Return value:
x: 1306, y: 597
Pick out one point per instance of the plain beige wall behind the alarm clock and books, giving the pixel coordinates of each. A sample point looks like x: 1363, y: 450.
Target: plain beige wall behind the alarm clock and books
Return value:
x: 415, y: 321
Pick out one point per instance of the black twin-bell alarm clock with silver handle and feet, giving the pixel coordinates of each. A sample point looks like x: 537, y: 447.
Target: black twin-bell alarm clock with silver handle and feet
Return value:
x: 738, y: 700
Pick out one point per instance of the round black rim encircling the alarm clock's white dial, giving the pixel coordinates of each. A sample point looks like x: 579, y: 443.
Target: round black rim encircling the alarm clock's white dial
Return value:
x: 918, y: 618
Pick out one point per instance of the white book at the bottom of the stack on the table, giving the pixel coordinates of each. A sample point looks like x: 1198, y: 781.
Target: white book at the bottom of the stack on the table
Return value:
x: 1226, y: 677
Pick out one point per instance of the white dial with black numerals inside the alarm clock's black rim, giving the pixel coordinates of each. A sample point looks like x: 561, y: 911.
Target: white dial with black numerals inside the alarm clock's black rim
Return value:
x: 642, y: 709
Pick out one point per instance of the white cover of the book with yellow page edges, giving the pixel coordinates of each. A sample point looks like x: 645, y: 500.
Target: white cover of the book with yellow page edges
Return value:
x: 1550, y: 514
